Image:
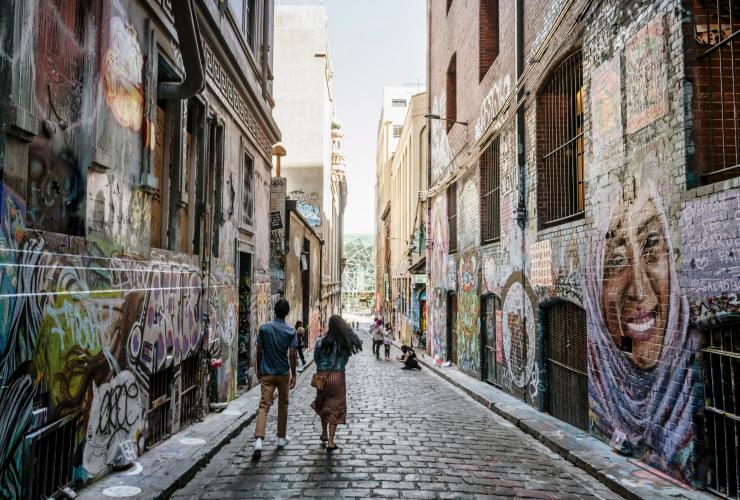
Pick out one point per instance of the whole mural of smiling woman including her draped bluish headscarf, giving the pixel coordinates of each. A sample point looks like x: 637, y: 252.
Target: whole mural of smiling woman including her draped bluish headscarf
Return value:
x: 644, y: 378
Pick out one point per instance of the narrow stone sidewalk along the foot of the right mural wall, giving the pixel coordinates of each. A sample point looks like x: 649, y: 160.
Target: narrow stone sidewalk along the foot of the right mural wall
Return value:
x: 622, y: 475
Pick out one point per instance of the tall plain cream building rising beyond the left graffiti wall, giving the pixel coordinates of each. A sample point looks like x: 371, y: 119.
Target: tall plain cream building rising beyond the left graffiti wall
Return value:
x: 314, y: 165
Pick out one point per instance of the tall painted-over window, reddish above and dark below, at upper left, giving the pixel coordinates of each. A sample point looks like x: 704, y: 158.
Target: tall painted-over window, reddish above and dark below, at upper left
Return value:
x: 57, y: 167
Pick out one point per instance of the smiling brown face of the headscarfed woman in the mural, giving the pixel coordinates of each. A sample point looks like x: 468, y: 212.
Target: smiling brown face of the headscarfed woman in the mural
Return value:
x: 636, y: 287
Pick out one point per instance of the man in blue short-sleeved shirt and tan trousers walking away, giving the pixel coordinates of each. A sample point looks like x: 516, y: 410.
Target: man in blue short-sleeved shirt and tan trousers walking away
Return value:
x: 276, y: 370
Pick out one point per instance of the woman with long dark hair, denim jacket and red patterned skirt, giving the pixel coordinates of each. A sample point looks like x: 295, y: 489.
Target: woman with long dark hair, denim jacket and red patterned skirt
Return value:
x: 331, y: 355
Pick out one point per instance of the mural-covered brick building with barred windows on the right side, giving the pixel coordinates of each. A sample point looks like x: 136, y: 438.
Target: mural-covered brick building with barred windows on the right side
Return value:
x: 583, y: 216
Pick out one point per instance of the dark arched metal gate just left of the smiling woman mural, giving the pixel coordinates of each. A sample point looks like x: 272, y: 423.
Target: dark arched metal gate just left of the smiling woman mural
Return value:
x: 565, y: 325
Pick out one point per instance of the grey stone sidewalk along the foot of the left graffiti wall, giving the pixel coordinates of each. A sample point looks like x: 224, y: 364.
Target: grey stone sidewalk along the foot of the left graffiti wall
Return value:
x: 168, y: 471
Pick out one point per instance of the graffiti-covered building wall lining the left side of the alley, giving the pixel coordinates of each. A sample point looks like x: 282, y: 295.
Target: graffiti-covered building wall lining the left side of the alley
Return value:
x: 119, y: 290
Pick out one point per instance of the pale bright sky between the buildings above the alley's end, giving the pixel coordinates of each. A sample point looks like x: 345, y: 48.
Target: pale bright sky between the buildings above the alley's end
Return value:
x: 373, y: 44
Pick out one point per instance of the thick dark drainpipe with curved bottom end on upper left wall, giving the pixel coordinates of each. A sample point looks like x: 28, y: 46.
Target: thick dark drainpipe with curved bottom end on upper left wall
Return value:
x: 191, y: 49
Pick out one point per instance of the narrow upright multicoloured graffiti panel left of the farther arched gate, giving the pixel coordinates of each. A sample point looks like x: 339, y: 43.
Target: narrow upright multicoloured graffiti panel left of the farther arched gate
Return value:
x: 468, y: 314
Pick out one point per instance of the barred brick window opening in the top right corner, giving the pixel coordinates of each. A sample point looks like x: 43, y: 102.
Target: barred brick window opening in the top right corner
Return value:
x: 717, y: 91
